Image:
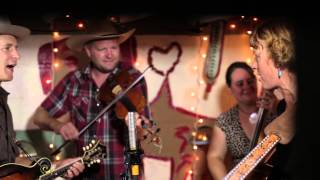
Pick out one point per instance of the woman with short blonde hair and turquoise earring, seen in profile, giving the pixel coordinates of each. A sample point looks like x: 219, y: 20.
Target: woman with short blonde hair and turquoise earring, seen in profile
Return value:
x: 274, y: 50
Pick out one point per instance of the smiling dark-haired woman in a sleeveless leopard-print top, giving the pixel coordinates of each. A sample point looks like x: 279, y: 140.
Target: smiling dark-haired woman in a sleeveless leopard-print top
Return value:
x: 233, y: 131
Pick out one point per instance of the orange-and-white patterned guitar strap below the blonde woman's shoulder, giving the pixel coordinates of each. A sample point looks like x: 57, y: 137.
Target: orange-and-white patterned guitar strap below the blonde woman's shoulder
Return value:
x: 250, y: 161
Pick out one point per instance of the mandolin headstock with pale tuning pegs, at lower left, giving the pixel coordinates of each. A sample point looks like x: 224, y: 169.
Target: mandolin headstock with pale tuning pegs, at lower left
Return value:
x: 93, y: 153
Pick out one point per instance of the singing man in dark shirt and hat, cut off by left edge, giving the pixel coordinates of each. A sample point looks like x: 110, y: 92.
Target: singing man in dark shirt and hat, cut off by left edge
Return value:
x: 9, y: 57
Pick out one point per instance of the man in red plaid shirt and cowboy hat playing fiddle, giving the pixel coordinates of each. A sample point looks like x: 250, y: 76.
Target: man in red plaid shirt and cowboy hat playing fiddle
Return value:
x: 73, y: 102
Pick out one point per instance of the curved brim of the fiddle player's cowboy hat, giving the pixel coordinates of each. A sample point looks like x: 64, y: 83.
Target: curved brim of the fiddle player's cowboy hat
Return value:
x: 77, y: 42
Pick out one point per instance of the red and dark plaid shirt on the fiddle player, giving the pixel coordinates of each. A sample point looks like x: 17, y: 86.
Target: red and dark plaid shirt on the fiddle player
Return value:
x: 77, y: 93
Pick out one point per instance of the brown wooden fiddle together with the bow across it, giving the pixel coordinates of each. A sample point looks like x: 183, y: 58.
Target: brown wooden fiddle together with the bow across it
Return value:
x: 124, y: 101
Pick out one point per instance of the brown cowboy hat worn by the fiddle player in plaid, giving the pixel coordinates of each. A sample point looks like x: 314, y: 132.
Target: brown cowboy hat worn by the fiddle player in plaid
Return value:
x: 100, y: 32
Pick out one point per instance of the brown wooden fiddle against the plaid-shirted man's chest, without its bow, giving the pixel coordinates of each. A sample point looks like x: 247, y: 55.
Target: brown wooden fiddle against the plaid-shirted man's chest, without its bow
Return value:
x: 132, y: 101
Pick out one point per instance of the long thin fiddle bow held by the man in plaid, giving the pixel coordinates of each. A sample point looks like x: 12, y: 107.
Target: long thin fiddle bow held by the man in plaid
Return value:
x: 116, y: 99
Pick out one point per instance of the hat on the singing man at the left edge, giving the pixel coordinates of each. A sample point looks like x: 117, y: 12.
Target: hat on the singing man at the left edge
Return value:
x: 6, y: 28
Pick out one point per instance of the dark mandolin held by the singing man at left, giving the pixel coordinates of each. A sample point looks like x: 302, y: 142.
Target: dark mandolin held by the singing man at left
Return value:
x: 42, y: 170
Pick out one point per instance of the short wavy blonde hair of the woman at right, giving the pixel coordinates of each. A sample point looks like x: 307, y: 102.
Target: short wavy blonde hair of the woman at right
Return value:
x: 279, y: 38
